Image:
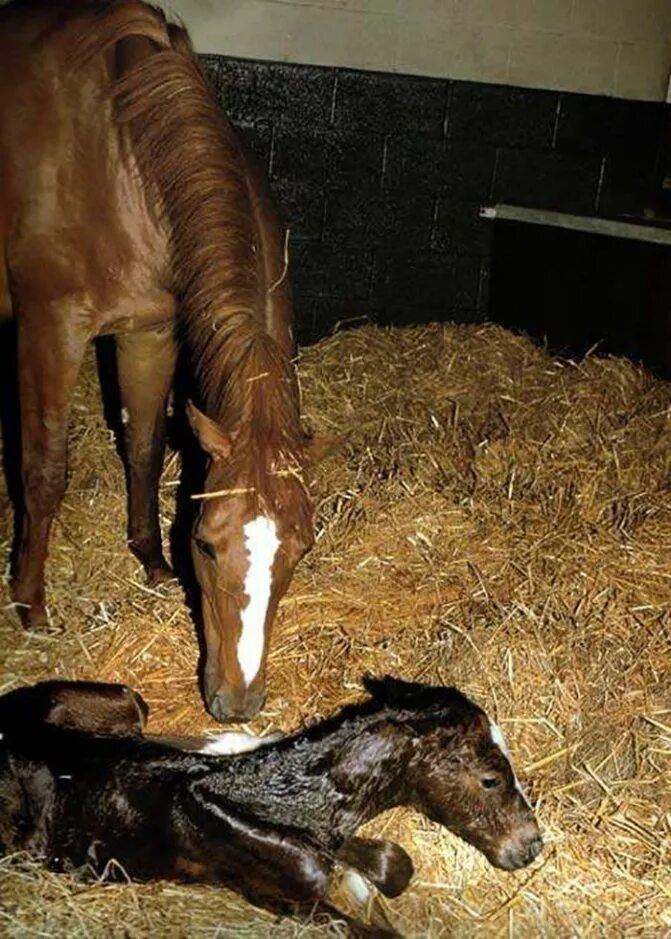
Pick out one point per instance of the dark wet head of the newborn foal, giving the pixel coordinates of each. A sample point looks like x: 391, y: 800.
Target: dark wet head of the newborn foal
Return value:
x: 460, y: 773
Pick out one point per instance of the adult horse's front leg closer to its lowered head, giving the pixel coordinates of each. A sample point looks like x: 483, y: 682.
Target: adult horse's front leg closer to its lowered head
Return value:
x: 146, y: 365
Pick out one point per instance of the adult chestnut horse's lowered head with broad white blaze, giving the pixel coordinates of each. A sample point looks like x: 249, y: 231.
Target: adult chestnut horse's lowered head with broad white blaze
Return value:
x: 254, y: 525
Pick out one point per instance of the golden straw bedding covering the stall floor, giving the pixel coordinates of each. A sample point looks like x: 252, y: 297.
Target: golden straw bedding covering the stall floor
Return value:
x: 494, y: 519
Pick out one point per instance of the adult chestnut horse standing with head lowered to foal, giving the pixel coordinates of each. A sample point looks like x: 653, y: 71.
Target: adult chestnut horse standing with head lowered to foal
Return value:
x: 128, y: 208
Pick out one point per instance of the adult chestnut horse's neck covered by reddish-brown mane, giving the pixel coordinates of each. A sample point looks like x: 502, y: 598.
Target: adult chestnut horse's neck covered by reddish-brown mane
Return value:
x: 195, y: 173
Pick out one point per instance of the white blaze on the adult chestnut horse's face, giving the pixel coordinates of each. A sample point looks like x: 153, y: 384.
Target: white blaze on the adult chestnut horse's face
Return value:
x: 262, y: 543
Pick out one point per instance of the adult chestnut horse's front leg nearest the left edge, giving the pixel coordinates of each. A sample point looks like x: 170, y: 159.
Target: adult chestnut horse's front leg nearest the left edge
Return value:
x: 50, y: 351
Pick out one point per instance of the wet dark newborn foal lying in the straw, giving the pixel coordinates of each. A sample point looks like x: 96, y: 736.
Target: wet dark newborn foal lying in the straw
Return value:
x: 81, y: 785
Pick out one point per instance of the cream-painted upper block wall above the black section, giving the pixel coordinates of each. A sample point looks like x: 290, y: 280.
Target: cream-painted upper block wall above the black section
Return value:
x: 620, y: 48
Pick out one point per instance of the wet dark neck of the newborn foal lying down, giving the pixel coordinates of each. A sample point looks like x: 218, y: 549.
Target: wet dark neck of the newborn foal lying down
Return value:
x: 328, y: 786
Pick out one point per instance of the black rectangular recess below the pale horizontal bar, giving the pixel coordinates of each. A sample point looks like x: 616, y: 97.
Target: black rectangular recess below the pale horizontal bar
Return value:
x: 574, y: 292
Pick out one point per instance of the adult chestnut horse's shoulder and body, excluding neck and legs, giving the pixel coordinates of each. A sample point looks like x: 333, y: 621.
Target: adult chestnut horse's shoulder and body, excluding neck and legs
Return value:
x: 74, y: 220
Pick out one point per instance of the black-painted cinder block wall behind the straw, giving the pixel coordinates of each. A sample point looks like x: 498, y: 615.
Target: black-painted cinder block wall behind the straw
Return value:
x: 380, y: 178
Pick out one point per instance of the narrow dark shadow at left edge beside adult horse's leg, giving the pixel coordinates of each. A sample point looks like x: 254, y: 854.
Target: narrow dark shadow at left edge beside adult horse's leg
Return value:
x: 10, y: 426
